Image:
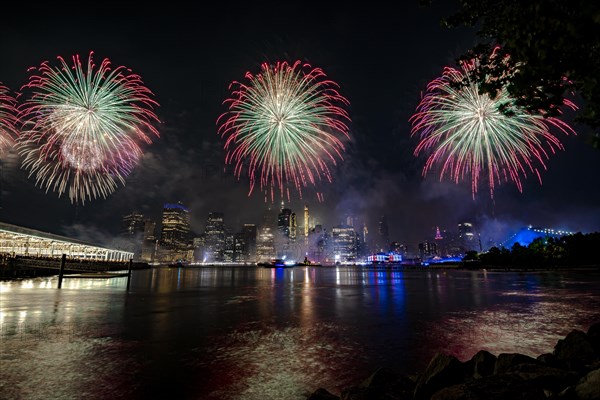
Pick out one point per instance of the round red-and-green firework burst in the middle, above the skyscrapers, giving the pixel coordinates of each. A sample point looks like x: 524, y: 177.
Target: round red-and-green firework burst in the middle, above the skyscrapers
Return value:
x: 285, y: 127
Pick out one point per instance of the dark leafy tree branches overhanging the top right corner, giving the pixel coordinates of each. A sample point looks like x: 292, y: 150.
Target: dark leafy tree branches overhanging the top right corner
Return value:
x: 553, y: 44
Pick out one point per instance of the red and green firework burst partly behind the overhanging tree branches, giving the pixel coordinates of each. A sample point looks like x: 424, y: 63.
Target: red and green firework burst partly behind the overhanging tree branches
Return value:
x: 467, y: 135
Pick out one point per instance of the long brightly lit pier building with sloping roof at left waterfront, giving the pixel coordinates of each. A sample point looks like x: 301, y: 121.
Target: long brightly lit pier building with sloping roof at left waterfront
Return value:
x: 20, y: 242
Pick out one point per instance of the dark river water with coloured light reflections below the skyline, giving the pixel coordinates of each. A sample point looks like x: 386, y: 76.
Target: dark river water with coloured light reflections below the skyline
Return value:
x: 260, y: 333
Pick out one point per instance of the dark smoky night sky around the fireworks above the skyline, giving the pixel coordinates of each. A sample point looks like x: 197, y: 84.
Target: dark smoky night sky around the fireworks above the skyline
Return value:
x: 382, y: 58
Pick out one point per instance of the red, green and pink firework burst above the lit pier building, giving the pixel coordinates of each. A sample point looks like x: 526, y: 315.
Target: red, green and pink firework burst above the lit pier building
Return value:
x: 83, y: 127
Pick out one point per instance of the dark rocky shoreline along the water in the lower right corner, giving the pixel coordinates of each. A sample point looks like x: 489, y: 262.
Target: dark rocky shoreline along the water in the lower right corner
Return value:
x: 570, y: 372
